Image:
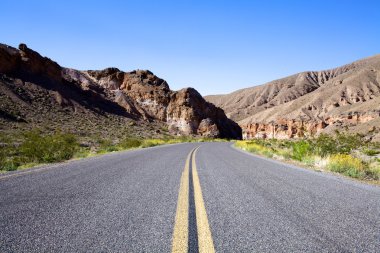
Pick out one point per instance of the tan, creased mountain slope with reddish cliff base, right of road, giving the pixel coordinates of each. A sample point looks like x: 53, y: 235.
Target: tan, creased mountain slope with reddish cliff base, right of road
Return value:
x: 309, y: 103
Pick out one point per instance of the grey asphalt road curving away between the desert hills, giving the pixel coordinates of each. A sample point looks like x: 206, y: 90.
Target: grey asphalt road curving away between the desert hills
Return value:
x: 144, y: 201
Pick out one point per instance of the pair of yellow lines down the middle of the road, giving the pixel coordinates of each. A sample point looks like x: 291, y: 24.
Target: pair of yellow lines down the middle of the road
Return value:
x: 180, y: 238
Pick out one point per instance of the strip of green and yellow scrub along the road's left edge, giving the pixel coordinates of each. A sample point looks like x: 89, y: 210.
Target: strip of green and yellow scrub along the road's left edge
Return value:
x: 32, y: 148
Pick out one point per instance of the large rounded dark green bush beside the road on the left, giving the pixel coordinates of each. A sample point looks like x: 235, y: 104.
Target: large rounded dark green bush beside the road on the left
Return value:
x: 49, y: 148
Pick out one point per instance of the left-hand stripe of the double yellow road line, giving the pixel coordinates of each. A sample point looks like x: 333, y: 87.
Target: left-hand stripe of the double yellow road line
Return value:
x: 181, y: 226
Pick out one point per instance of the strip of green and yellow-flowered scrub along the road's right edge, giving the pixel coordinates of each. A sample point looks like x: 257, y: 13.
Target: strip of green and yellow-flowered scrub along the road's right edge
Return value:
x: 347, y: 154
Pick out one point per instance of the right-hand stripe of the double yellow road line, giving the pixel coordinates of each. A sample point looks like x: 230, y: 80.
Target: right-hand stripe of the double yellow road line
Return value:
x: 205, y: 242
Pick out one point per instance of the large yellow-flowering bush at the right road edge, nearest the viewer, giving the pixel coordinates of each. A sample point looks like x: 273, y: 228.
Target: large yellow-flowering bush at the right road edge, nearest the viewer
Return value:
x: 347, y: 165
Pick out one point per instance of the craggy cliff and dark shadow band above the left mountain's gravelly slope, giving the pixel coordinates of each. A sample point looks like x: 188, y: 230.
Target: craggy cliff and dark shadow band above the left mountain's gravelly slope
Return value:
x: 138, y: 95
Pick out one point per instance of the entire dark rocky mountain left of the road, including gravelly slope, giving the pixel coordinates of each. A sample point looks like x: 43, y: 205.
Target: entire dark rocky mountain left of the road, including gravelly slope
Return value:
x: 37, y: 92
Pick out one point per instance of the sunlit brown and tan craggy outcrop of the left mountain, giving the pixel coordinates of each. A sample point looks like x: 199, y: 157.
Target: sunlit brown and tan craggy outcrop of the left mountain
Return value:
x: 144, y: 95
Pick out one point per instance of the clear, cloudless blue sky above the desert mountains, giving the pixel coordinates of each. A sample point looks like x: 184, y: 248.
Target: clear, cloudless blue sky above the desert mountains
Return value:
x: 214, y: 46
